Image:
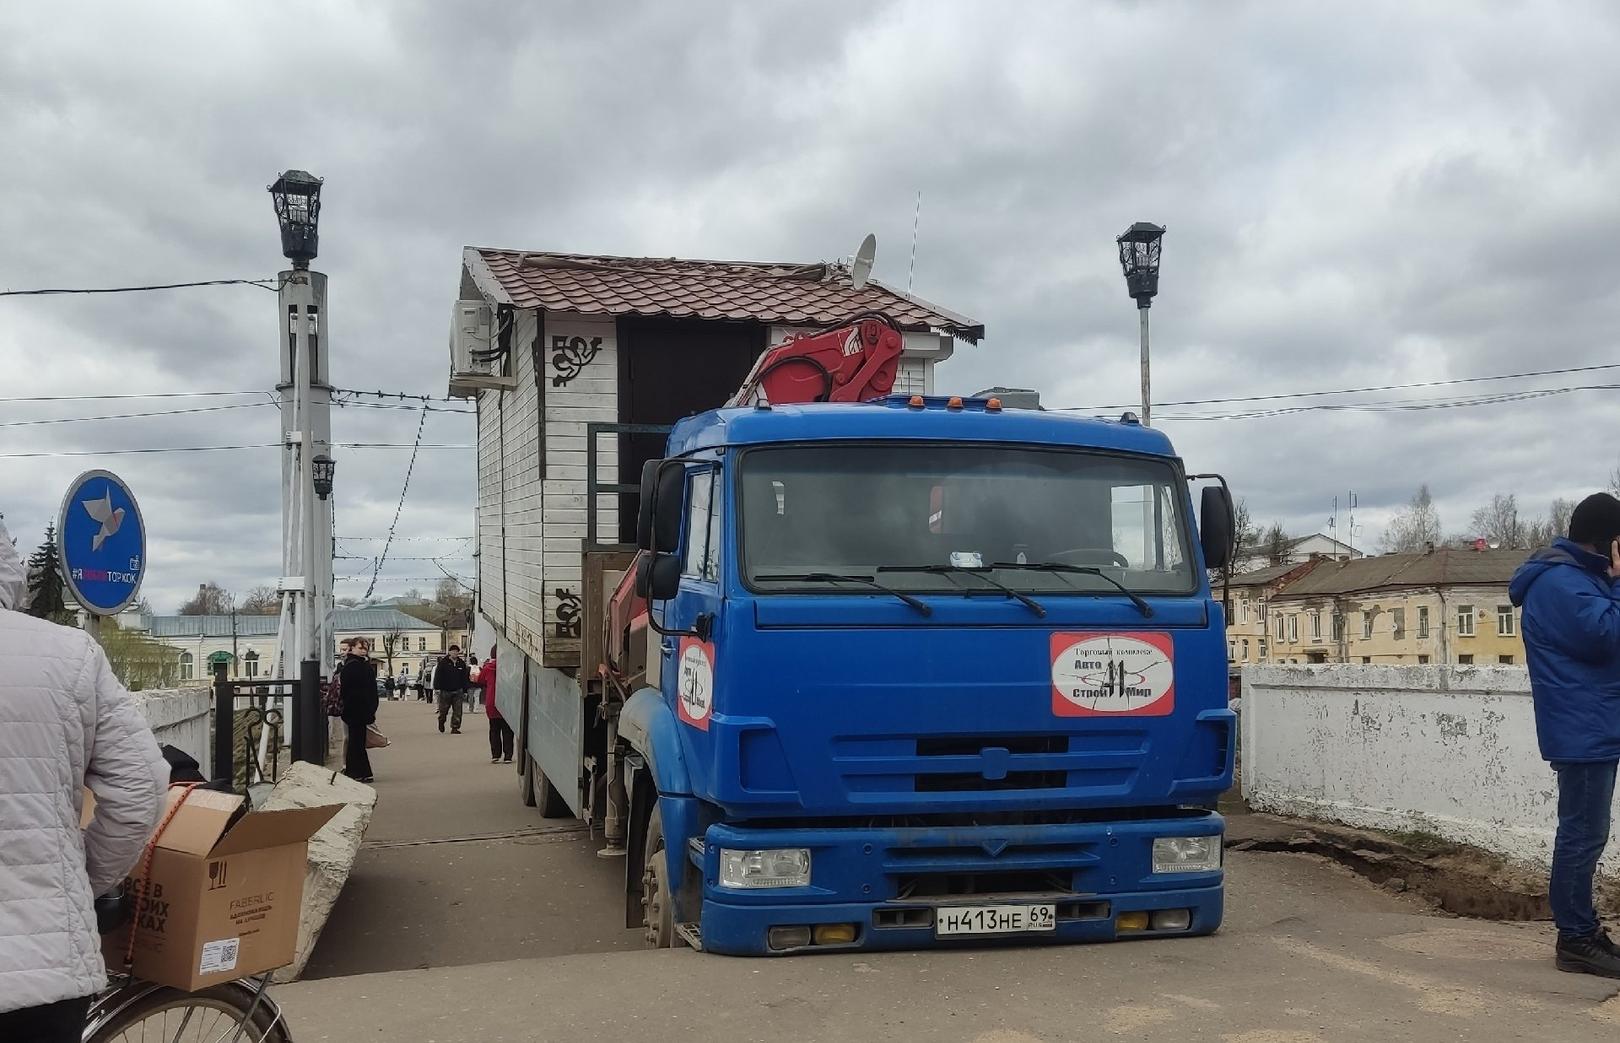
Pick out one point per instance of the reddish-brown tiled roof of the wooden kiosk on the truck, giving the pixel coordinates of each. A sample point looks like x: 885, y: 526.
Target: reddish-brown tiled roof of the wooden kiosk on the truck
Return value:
x: 740, y: 291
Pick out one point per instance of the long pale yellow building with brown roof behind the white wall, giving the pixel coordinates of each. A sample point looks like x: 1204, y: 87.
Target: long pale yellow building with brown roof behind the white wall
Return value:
x: 1443, y: 607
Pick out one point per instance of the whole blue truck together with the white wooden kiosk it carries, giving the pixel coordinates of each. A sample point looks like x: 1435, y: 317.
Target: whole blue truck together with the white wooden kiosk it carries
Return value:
x: 845, y: 670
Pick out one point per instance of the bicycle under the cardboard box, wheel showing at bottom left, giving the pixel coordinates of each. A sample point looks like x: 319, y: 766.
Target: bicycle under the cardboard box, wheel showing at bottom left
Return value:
x: 134, y: 1010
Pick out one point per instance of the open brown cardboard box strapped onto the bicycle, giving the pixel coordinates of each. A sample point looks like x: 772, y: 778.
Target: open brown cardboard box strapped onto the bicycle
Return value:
x: 224, y: 893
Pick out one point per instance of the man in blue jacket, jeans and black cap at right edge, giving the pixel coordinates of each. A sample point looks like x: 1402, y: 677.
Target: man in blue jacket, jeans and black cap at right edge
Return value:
x: 1571, y: 594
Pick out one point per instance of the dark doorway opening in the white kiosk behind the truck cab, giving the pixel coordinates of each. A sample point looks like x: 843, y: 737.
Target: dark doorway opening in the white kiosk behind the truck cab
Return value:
x: 670, y: 370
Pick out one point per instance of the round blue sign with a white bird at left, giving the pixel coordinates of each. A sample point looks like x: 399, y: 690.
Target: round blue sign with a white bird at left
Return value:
x: 103, y: 543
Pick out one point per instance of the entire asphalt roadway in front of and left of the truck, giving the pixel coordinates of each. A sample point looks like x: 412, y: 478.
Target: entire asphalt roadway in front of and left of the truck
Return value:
x: 513, y: 926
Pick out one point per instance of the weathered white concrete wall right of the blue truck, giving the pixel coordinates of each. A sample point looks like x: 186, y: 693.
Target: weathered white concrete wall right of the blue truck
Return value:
x: 1444, y: 751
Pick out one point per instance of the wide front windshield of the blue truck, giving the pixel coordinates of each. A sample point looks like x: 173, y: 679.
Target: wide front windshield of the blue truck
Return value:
x: 855, y: 509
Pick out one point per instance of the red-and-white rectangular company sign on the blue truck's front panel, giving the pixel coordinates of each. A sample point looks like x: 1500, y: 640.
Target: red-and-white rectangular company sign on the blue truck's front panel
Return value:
x: 1114, y: 675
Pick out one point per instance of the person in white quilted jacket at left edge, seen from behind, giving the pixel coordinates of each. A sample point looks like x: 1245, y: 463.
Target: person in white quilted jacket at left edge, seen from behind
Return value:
x: 66, y: 725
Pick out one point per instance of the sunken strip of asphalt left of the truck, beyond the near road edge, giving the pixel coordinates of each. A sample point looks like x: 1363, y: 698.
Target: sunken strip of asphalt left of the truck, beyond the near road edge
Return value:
x: 456, y: 871
